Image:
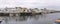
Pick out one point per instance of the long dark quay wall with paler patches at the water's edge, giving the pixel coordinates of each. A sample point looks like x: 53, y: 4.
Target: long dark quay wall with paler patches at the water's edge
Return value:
x: 17, y: 14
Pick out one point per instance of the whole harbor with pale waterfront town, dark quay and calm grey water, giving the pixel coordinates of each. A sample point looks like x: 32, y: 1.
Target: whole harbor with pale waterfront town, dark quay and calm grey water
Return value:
x: 20, y: 15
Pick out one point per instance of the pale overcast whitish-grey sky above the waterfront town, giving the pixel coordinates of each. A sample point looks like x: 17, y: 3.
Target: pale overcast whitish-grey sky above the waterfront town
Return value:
x: 50, y: 4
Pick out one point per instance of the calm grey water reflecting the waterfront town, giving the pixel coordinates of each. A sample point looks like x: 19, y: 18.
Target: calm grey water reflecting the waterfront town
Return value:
x: 37, y: 19
